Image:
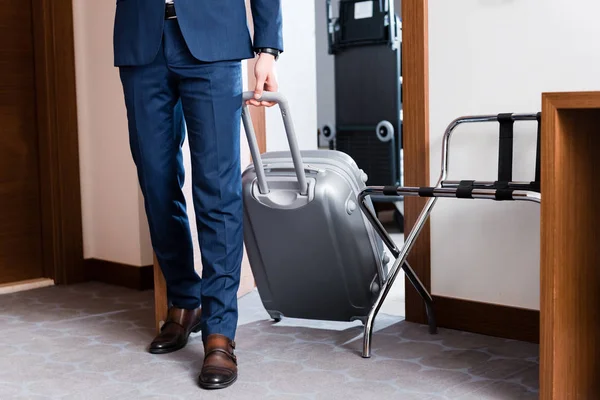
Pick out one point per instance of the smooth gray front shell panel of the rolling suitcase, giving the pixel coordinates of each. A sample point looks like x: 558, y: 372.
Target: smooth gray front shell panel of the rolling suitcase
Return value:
x: 316, y: 261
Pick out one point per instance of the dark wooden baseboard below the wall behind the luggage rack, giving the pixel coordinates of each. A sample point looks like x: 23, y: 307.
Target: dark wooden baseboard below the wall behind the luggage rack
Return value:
x: 488, y: 319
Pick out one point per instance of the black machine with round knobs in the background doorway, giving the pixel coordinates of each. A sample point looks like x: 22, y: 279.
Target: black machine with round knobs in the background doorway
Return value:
x: 365, y: 41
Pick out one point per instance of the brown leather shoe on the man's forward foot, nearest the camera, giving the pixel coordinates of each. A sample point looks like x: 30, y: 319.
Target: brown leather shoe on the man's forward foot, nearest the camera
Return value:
x: 220, y: 364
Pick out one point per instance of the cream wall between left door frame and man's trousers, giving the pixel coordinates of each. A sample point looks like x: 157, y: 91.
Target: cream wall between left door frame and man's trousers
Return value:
x: 113, y: 222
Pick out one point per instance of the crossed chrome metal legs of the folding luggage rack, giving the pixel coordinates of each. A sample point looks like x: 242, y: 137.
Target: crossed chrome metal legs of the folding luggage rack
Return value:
x: 400, y: 263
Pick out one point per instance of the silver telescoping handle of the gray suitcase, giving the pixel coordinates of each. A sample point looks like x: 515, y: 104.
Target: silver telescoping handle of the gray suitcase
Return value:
x: 278, y: 98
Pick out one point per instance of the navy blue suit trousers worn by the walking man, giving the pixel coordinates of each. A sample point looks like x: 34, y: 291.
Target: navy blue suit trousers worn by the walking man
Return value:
x: 162, y: 98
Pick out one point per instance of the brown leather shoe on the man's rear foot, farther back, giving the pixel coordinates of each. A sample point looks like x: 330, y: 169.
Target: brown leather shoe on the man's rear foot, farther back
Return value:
x: 175, y: 331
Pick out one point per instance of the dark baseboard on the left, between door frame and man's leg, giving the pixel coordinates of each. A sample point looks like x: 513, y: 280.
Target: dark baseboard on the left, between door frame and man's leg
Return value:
x: 129, y: 276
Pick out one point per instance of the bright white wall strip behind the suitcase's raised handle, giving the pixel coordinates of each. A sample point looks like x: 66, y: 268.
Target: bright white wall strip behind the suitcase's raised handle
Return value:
x: 296, y: 71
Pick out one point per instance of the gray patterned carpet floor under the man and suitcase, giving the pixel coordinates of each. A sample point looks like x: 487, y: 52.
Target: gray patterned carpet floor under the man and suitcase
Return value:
x: 88, y: 342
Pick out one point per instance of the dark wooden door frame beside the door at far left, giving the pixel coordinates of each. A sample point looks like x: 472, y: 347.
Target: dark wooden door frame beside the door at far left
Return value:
x: 56, y: 120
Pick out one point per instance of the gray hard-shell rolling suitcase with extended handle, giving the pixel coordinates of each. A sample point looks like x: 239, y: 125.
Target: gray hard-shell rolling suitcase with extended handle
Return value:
x: 312, y: 251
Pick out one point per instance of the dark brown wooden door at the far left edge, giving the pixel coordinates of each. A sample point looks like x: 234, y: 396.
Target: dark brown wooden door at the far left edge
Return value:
x: 20, y: 200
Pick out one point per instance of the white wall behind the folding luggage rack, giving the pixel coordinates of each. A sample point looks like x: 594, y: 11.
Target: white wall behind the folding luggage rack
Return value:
x: 490, y: 56
